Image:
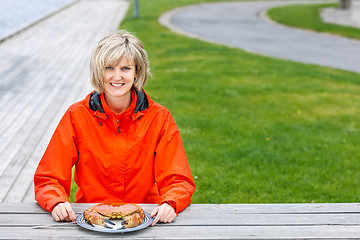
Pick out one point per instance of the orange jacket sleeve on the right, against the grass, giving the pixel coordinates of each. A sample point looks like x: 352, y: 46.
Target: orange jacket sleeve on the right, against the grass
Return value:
x: 172, y: 172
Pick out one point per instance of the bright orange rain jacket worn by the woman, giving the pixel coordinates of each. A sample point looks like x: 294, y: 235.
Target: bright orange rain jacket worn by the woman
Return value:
x: 136, y: 156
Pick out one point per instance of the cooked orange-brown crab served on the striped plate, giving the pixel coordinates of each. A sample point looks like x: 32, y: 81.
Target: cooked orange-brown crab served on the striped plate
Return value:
x: 132, y: 214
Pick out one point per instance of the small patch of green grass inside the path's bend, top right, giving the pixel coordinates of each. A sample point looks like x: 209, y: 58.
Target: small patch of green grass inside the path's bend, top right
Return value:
x: 308, y: 17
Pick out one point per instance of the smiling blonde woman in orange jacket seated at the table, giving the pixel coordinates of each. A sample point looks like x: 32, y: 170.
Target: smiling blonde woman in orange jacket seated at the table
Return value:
x: 125, y: 147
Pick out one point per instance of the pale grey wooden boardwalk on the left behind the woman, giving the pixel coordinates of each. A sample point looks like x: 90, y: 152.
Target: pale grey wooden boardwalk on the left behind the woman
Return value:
x: 42, y: 71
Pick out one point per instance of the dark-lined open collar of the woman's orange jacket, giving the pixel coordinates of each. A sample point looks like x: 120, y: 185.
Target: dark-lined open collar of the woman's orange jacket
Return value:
x: 96, y: 105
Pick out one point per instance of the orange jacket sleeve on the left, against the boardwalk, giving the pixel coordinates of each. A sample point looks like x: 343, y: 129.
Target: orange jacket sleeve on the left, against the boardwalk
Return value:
x: 52, y: 178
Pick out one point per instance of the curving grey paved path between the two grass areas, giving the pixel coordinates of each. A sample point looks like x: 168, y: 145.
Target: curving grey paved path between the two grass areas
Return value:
x: 244, y: 25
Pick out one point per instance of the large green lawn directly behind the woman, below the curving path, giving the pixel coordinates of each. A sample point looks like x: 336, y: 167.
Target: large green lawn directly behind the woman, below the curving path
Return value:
x: 255, y: 129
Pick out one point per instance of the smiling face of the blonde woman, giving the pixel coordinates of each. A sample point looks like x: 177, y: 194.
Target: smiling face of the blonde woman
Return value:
x: 118, y: 80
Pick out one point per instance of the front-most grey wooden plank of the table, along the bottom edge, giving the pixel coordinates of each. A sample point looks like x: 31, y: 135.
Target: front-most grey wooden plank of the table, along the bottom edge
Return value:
x: 162, y: 231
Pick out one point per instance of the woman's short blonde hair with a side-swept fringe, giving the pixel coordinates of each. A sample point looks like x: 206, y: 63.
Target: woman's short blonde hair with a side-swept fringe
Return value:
x: 111, y: 49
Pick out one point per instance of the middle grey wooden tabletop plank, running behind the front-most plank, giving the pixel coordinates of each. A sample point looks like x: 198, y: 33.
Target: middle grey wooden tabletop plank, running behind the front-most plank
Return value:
x: 42, y: 219
